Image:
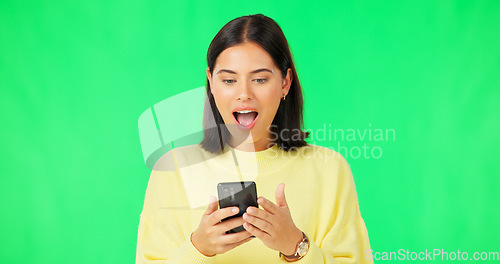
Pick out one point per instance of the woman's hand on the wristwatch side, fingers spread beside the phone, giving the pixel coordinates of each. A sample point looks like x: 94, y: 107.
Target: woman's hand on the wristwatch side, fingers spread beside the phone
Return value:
x: 273, y: 224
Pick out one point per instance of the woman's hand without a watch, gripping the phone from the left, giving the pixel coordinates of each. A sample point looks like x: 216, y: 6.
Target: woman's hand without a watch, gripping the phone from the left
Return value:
x: 210, y: 237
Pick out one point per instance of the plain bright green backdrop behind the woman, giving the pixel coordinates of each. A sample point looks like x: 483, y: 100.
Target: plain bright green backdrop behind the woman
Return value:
x: 76, y: 75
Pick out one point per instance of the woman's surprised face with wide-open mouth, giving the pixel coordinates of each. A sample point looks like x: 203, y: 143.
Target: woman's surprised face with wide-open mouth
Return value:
x: 247, y: 87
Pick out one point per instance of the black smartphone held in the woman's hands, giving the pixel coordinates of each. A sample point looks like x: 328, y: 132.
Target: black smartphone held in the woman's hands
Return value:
x: 240, y: 194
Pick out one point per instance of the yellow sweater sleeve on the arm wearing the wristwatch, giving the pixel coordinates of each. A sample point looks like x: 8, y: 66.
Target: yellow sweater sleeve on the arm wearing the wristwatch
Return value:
x: 347, y: 239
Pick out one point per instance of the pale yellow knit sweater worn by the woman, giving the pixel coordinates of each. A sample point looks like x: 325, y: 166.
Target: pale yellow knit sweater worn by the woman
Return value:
x: 319, y: 190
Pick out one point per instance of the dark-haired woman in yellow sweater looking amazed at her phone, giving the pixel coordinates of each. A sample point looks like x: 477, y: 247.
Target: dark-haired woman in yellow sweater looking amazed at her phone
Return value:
x: 252, y: 131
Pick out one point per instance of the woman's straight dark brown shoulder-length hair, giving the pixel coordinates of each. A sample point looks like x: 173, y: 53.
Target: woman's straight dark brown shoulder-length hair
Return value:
x: 288, y: 121
